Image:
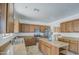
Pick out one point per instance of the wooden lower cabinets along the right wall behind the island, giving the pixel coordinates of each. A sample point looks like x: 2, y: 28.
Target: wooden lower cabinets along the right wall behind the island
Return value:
x: 73, y: 44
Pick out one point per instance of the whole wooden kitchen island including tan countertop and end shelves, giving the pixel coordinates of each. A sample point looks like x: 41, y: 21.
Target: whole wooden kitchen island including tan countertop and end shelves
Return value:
x: 52, y: 47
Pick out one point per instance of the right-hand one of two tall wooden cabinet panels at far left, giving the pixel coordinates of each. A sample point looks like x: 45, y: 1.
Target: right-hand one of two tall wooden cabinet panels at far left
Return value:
x: 10, y: 20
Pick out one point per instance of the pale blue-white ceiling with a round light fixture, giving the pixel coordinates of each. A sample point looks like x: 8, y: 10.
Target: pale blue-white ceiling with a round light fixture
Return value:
x: 45, y: 12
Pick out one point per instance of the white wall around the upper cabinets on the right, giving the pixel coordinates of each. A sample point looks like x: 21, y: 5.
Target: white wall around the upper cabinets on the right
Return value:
x: 57, y: 24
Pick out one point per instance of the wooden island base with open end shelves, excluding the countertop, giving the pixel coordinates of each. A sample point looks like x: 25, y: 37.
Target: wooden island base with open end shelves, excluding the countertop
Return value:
x: 48, y: 48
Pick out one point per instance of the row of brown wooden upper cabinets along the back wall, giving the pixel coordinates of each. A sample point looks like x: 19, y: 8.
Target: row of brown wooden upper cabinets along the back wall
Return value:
x: 31, y: 27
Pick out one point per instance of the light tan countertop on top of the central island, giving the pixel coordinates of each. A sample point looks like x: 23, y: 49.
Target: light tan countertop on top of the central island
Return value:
x: 57, y: 44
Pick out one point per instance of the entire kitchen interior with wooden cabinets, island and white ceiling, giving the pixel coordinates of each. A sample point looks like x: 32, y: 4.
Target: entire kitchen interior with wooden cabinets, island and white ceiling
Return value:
x: 39, y: 29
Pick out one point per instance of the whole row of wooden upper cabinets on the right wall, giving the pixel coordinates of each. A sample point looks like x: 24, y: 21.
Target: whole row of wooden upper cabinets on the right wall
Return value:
x: 70, y: 26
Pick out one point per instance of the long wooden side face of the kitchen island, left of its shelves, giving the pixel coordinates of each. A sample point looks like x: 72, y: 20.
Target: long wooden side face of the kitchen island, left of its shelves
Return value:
x: 48, y: 49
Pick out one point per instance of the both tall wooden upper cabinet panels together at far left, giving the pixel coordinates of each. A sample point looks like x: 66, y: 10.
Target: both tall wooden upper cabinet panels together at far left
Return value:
x: 6, y: 20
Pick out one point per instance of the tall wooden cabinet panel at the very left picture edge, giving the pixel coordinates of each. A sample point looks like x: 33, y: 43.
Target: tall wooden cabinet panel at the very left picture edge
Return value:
x: 3, y: 11
